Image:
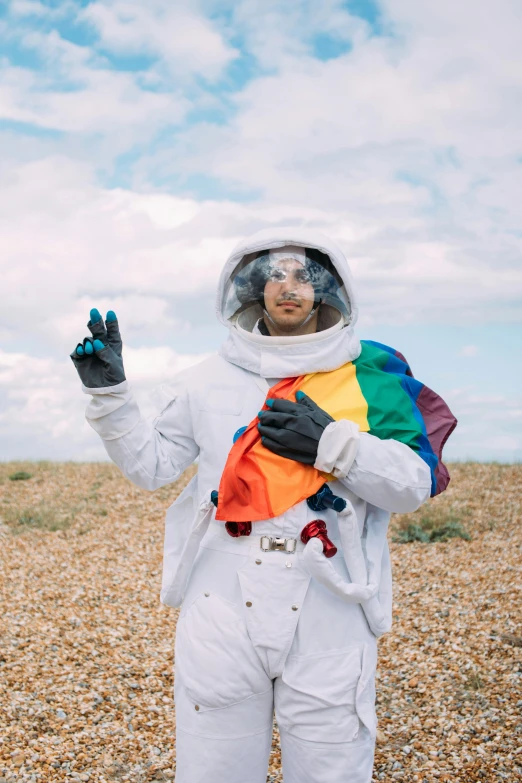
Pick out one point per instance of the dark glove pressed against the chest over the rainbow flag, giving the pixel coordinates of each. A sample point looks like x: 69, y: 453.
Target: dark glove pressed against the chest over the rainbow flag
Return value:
x: 293, y: 429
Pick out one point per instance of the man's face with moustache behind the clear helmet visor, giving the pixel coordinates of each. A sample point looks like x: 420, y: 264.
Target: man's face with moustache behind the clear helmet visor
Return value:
x: 289, y: 296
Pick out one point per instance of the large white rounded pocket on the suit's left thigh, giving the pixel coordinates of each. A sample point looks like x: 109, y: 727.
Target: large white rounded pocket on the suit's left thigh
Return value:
x: 215, y: 660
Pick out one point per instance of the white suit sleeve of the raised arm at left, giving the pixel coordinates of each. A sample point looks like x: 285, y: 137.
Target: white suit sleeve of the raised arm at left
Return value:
x: 150, y: 454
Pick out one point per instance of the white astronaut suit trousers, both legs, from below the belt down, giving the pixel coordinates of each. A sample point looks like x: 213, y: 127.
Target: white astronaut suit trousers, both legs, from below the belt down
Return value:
x: 241, y: 654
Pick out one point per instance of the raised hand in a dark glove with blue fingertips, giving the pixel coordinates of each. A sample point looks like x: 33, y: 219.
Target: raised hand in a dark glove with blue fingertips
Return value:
x: 98, y: 359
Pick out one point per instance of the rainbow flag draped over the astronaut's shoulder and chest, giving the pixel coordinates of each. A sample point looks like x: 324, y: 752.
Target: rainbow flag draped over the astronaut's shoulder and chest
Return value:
x: 378, y: 392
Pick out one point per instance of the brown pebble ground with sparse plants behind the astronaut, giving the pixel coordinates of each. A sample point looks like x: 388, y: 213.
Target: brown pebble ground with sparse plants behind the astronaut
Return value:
x: 86, y: 649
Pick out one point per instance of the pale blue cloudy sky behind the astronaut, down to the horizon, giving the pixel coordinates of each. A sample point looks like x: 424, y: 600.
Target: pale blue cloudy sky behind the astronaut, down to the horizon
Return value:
x: 141, y: 140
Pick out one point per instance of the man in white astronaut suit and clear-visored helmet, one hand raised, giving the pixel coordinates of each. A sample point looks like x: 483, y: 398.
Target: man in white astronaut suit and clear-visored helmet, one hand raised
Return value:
x: 257, y: 631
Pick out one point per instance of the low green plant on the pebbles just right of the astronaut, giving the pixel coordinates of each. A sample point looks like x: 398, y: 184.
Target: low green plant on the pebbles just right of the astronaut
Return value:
x: 432, y: 523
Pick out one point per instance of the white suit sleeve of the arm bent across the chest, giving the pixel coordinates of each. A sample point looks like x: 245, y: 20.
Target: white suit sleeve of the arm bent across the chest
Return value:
x: 386, y: 473
